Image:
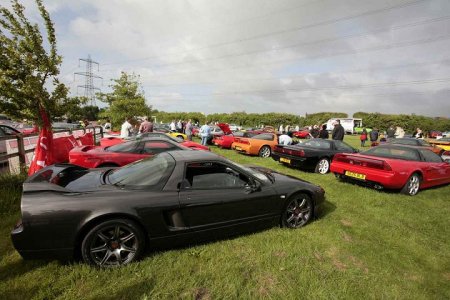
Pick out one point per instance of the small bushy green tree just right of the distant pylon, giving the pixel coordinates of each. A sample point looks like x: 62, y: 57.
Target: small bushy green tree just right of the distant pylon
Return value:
x: 125, y: 100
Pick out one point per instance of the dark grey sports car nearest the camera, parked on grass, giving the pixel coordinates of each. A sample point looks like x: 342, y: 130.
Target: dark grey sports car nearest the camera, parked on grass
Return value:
x: 108, y: 216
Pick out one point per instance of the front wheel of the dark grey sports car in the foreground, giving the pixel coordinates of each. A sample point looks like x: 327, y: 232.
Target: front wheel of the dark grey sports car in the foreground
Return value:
x: 298, y: 211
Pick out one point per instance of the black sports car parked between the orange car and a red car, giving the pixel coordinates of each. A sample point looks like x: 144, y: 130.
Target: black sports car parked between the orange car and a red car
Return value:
x: 313, y: 154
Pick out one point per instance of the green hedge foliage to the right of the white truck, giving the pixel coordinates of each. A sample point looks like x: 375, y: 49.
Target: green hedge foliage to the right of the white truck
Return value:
x: 408, y: 122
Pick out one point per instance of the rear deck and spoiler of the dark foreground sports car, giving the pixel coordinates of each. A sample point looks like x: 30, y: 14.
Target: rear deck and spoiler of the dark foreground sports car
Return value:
x: 67, y: 178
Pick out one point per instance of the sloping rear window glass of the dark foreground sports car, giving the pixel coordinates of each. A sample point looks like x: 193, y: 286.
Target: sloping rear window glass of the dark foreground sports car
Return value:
x: 145, y: 173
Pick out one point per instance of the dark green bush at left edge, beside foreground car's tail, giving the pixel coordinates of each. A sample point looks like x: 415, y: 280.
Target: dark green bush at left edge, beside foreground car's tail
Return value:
x: 10, y: 192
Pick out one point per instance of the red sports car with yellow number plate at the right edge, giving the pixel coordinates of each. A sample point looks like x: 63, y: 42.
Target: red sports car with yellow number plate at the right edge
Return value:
x: 394, y: 167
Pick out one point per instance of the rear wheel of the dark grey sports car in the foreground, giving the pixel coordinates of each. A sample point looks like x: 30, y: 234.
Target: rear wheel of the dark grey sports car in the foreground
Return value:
x: 113, y: 243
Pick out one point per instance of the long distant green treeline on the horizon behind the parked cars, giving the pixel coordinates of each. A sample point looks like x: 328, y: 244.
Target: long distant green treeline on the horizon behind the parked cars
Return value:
x: 371, y: 120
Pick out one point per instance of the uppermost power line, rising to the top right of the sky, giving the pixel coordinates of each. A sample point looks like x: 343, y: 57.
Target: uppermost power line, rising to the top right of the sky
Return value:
x: 322, y: 23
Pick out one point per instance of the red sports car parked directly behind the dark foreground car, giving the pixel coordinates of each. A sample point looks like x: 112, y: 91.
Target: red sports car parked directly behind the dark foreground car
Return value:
x: 121, y: 154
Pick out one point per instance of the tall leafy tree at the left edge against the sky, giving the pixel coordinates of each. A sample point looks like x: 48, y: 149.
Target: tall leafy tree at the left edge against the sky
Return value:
x: 27, y: 68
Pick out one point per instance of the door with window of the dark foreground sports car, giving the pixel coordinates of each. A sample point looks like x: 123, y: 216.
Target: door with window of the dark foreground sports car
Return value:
x: 215, y: 195
